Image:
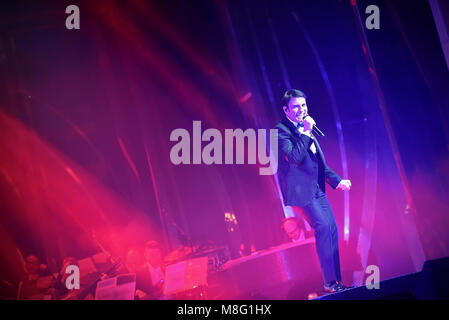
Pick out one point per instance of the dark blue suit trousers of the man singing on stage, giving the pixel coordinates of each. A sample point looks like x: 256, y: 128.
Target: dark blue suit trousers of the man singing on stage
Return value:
x: 319, y: 215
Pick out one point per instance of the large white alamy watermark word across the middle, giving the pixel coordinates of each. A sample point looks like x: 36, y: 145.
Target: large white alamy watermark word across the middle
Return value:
x: 213, y: 151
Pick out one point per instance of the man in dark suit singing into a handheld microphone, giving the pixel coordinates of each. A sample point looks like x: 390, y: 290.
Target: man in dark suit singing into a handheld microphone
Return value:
x: 302, y: 175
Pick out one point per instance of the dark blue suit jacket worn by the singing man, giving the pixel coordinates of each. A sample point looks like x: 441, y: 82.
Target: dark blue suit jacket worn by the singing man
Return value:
x: 299, y: 170
